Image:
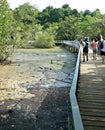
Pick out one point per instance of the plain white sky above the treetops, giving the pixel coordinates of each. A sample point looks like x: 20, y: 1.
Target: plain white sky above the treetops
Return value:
x: 80, y: 5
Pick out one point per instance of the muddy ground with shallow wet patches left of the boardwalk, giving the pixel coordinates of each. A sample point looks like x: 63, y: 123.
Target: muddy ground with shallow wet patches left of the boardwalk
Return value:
x: 34, y: 89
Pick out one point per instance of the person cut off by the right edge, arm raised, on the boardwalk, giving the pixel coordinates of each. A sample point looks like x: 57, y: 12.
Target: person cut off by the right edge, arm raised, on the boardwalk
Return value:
x: 102, y: 48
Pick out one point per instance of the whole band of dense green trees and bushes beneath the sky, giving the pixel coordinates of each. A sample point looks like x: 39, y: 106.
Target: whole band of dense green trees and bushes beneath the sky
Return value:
x: 26, y: 25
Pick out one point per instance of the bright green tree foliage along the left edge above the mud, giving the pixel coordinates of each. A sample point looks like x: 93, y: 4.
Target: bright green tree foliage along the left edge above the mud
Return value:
x: 5, y: 15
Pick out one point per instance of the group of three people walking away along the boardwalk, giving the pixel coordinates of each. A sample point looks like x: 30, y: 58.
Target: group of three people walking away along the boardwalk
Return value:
x: 95, y: 44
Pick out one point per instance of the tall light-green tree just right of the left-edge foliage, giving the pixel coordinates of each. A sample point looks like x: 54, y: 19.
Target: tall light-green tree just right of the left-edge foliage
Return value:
x: 25, y: 24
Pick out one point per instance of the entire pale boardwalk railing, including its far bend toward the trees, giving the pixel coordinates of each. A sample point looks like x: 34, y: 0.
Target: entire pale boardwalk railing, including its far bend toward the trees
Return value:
x: 74, y: 109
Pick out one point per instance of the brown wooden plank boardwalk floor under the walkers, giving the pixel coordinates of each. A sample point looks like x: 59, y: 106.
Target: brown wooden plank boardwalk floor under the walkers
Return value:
x: 91, y: 93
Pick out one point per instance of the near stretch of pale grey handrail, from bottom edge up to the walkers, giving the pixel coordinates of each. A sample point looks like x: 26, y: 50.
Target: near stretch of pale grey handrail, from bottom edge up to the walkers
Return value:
x: 77, y: 121
